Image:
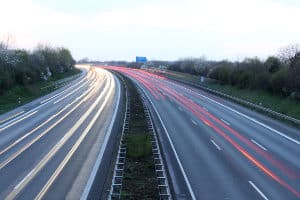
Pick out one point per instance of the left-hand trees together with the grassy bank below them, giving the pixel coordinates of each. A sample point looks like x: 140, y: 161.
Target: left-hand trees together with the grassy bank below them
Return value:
x: 25, y: 75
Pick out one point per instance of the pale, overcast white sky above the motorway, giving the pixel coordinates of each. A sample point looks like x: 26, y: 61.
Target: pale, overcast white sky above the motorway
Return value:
x: 158, y: 29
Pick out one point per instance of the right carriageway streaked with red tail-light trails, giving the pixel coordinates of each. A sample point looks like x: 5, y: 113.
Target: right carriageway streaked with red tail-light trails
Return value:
x: 221, y: 149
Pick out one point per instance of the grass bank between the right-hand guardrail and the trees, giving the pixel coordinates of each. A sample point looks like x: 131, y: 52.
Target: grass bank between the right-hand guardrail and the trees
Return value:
x: 277, y: 103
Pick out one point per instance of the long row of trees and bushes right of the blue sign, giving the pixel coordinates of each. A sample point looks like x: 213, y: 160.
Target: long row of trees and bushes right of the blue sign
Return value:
x: 277, y: 74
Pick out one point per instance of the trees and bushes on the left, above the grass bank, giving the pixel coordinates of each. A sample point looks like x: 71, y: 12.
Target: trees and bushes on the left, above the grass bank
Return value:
x: 18, y: 66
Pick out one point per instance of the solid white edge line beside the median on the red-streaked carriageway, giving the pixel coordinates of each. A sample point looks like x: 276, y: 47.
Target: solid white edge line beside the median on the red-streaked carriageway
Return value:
x: 173, y: 148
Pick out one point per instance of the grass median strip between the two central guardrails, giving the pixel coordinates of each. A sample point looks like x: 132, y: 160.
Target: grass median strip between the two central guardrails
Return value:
x: 139, y: 177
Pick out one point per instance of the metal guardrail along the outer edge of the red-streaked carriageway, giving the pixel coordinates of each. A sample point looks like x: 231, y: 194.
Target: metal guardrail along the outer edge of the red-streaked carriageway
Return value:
x: 241, y: 101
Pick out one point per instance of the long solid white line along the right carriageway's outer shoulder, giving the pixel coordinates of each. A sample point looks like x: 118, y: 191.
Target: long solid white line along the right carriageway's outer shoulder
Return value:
x: 251, y: 119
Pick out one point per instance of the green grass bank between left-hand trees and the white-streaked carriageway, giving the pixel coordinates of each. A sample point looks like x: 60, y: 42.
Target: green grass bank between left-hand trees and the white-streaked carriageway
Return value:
x: 26, y: 93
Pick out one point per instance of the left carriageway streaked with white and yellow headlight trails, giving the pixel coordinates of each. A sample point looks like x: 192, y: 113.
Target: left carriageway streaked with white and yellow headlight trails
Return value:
x: 52, y: 147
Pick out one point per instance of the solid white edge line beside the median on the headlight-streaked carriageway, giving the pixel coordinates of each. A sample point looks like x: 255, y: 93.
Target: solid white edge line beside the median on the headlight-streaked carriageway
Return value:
x: 92, y: 177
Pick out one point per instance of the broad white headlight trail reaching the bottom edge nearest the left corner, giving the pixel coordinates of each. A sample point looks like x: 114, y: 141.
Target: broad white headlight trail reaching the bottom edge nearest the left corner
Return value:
x: 57, y: 146
